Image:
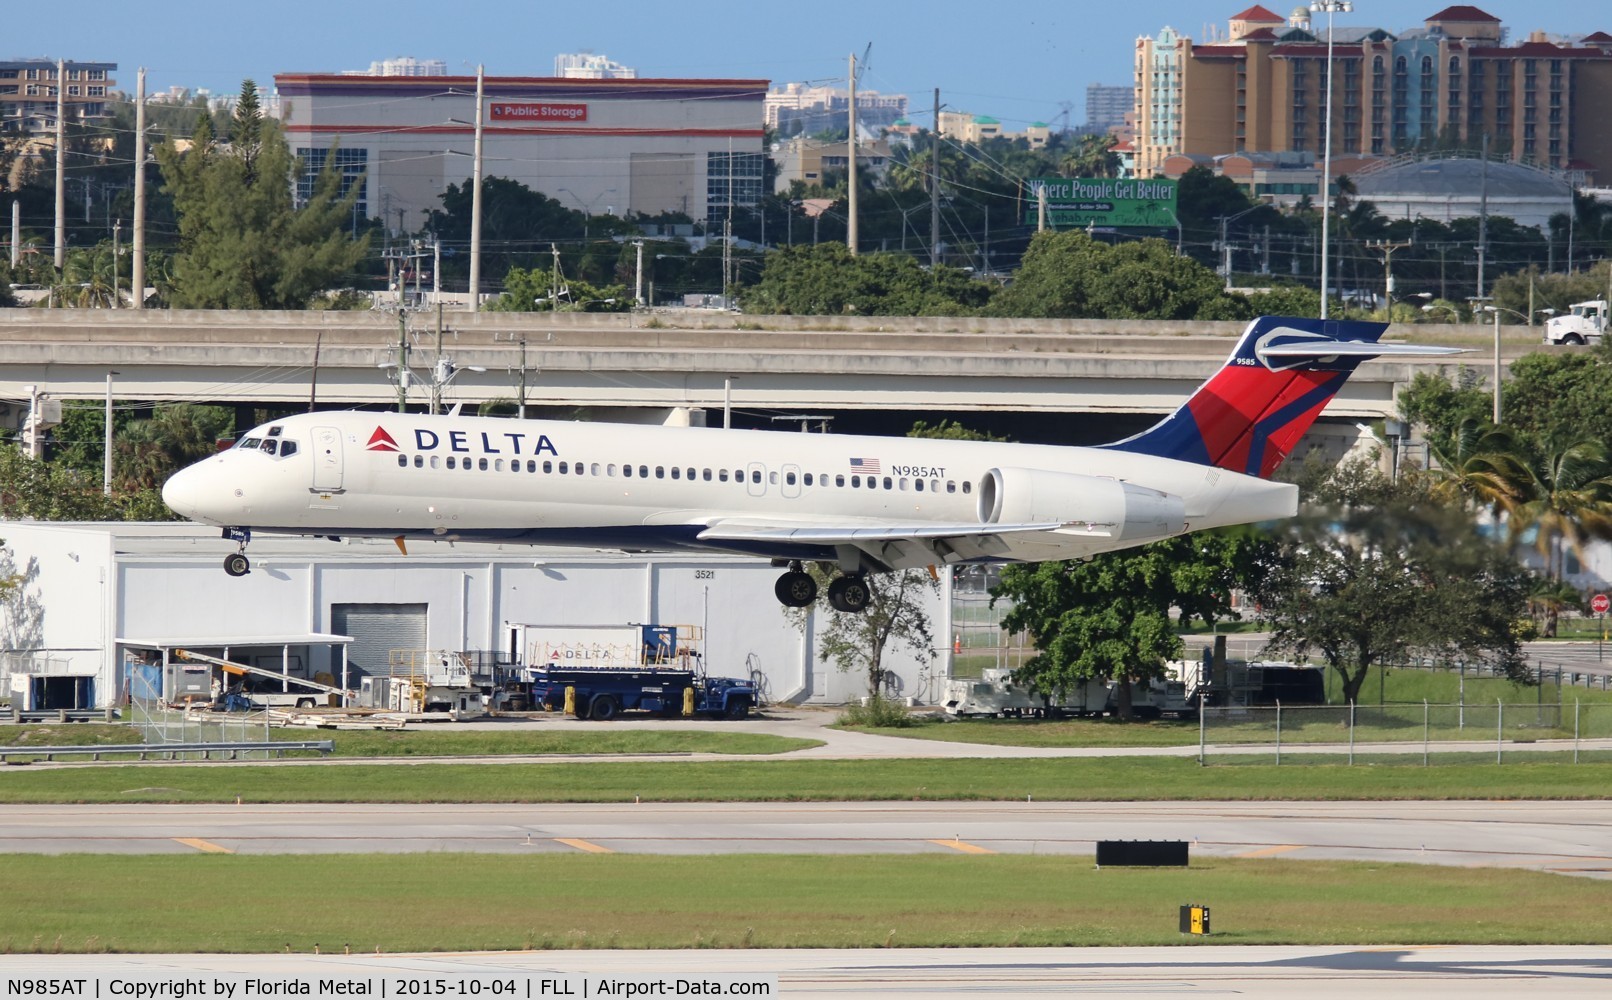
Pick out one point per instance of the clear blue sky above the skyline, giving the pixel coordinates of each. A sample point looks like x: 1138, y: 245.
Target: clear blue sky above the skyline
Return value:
x: 1016, y: 62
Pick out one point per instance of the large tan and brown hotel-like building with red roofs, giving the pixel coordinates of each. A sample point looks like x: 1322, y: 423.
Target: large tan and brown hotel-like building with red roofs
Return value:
x: 1447, y: 85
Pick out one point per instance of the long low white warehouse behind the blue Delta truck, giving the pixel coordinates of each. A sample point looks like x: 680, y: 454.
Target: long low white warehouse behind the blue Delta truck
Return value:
x: 99, y: 598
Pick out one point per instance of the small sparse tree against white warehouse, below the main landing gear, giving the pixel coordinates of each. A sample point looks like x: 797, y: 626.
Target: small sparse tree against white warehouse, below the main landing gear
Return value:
x: 897, y: 617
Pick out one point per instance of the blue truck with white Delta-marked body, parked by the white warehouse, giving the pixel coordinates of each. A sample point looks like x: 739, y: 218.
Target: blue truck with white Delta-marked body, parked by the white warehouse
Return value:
x: 600, y: 672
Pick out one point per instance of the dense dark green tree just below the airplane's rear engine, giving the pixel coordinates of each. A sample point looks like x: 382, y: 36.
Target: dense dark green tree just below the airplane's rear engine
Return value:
x: 1110, y: 619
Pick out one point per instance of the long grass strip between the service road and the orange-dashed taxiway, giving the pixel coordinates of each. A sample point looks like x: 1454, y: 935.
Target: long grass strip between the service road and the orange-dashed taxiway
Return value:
x: 1057, y: 780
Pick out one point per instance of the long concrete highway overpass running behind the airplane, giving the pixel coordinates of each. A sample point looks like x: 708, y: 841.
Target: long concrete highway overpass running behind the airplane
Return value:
x: 652, y: 362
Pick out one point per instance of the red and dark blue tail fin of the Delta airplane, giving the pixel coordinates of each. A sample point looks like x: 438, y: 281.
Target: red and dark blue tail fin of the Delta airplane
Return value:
x: 1284, y: 372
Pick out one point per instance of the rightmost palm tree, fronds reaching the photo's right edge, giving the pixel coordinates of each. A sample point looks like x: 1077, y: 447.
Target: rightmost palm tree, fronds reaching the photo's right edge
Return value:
x: 1568, y: 499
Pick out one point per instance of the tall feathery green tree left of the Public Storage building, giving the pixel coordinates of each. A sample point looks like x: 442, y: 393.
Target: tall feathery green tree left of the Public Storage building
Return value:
x: 244, y: 244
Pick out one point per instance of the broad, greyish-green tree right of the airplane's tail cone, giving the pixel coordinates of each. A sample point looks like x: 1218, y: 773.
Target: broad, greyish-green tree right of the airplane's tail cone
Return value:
x: 1376, y: 570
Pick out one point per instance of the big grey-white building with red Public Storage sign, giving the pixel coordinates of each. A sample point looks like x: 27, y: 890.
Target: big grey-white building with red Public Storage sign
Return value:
x: 597, y: 146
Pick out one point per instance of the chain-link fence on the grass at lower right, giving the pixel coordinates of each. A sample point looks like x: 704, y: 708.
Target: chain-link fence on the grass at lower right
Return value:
x: 1427, y: 733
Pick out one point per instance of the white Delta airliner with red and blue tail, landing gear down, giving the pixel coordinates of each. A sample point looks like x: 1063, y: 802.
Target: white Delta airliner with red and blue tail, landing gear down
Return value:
x: 855, y: 504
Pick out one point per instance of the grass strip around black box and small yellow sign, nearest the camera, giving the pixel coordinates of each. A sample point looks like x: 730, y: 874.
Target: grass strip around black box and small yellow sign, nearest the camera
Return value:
x: 475, y: 902
